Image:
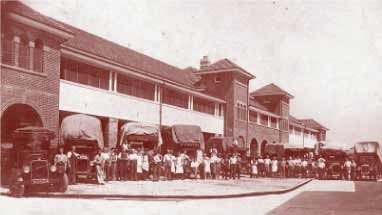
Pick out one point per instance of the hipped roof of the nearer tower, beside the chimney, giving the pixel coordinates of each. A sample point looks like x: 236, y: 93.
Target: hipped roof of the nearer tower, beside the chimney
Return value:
x: 224, y: 65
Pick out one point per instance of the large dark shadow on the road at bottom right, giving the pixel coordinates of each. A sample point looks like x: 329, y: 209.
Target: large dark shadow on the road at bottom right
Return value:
x: 366, y: 200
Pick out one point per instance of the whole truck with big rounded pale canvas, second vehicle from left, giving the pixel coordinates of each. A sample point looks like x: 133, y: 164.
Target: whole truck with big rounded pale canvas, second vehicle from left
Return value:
x: 85, y: 133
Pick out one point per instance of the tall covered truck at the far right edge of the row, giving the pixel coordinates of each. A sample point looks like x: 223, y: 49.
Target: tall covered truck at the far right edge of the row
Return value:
x: 369, y: 160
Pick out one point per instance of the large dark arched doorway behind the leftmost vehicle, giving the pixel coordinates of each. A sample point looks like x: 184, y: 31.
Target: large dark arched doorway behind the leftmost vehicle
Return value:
x: 15, y: 116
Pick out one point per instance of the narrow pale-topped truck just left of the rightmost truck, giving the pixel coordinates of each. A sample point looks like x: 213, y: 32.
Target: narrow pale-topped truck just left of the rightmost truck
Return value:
x: 335, y: 157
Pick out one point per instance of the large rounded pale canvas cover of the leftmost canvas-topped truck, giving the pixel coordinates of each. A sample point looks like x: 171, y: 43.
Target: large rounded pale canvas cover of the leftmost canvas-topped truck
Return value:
x: 81, y: 127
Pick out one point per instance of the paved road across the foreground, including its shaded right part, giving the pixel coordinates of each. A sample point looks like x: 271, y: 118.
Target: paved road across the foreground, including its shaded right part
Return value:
x: 309, y: 199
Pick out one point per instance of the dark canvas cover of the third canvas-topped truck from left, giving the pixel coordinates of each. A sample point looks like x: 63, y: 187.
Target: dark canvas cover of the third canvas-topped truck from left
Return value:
x: 186, y: 134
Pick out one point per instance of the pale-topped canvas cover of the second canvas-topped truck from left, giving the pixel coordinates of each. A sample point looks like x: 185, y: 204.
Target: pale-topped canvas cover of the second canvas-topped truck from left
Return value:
x: 139, y: 131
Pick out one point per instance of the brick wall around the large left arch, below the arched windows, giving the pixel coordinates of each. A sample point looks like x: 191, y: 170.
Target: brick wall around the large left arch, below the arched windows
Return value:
x: 40, y: 91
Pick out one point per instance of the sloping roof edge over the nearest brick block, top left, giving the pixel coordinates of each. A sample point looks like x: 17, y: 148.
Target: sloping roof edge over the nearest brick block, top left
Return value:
x: 23, y: 10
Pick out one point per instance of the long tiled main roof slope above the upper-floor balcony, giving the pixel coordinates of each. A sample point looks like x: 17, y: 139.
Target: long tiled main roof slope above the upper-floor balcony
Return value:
x: 101, y: 47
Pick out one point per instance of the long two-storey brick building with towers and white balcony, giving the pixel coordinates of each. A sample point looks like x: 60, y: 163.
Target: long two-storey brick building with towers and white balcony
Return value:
x: 51, y: 70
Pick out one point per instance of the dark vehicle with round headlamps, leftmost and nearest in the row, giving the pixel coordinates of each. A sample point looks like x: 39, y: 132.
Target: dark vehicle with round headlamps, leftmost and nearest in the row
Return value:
x: 33, y: 169
